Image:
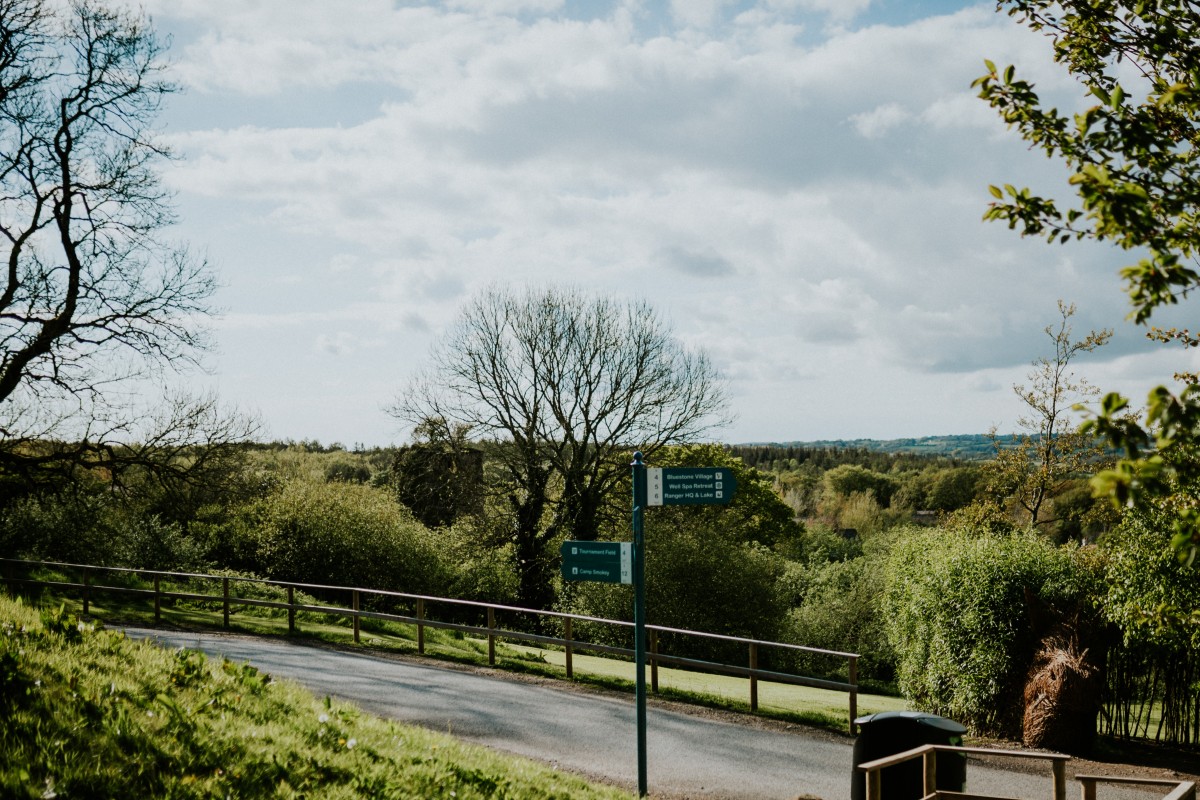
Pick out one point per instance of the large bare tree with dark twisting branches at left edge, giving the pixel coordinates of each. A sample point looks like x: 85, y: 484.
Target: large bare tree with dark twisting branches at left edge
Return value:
x: 93, y: 296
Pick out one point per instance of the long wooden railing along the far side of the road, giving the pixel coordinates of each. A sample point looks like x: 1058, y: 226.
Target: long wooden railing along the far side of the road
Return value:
x: 87, y: 586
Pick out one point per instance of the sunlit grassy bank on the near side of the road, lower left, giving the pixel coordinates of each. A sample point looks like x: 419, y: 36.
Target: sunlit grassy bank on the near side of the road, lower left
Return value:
x: 87, y: 713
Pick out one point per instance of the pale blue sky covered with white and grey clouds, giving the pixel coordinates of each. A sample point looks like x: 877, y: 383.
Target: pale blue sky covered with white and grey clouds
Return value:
x: 797, y: 185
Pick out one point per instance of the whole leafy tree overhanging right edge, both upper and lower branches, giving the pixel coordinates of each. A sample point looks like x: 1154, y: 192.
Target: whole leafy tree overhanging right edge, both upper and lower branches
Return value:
x: 1133, y: 166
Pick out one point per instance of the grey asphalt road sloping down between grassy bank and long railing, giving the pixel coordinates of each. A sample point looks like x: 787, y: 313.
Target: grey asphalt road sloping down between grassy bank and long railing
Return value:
x: 595, y: 735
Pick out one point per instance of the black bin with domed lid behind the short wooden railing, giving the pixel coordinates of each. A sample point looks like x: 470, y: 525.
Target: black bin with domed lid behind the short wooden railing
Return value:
x: 895, y: 732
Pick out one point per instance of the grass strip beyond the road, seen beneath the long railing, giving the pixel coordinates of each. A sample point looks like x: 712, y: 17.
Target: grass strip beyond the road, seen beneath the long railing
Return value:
x: 806, y: 706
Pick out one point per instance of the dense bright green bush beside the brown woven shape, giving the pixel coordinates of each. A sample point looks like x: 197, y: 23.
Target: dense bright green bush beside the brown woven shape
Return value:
x: 957, y: 610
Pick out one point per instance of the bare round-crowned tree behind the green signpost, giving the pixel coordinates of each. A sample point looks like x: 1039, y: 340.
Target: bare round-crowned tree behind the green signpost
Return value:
x: 565, y: 386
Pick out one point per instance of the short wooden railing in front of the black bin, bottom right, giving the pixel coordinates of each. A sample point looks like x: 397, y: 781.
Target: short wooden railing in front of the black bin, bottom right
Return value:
x: 928, y: 754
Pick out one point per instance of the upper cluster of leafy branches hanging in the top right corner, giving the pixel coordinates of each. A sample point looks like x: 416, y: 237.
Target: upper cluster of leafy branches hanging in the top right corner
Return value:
x: 1129, y: 169
